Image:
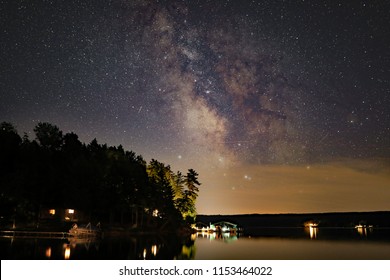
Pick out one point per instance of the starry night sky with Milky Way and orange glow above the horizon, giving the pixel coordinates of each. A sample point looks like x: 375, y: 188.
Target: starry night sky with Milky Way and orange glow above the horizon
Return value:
x: 280, y: 106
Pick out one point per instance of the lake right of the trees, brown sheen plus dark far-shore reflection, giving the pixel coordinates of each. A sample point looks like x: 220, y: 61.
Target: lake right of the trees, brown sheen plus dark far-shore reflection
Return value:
x: 296, y: 244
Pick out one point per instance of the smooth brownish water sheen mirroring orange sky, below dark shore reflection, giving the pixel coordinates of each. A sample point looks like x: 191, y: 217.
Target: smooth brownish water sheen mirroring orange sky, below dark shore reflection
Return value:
x: 281, y: 248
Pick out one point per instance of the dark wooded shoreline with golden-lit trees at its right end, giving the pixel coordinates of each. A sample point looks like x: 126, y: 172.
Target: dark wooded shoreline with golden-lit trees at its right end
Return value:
x: 108, y: 183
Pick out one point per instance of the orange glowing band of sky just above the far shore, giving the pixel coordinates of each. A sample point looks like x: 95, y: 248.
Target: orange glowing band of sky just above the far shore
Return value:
x: 345, y: 186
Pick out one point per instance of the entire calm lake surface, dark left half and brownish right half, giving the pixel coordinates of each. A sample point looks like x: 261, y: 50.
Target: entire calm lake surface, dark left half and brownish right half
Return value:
x: 265, y: 243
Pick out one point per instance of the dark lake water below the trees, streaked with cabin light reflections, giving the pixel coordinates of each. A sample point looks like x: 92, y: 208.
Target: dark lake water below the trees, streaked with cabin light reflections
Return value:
x: 118, y: 247
